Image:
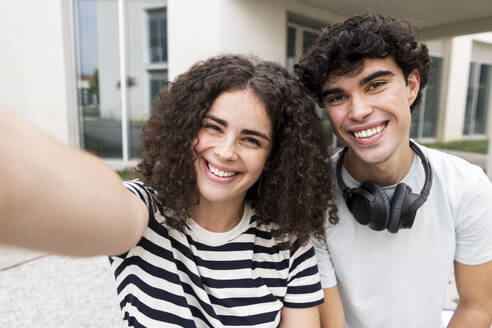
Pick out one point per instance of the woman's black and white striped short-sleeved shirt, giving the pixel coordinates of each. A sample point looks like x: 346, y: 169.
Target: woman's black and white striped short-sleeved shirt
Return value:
x: 238, y: 278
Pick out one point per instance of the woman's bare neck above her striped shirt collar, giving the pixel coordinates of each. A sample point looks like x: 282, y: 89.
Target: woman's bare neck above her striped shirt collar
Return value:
x: 217, y: 217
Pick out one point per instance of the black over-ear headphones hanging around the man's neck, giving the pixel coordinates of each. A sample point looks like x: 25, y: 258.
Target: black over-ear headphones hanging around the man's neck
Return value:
x: 371, y: 206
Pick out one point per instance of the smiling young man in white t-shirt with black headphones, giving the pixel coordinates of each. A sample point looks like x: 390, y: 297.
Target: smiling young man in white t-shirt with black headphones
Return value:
x: 392, y: 252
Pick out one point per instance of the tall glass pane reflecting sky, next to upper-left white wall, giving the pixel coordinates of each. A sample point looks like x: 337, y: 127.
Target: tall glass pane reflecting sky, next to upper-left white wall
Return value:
x: 98, y: 77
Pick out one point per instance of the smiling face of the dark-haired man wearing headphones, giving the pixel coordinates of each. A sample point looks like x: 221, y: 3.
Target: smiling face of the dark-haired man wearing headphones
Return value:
x: 370, y: 110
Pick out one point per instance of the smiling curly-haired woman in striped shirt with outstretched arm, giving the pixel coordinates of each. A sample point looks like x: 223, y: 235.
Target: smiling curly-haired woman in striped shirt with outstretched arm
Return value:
x: 218, y: 235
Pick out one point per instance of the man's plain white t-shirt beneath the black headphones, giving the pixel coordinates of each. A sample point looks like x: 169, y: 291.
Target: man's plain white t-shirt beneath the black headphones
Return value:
x: 399, y: 280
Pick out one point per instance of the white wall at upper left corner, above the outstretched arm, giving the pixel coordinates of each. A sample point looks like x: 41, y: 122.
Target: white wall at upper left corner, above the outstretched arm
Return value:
x: 36, y: 66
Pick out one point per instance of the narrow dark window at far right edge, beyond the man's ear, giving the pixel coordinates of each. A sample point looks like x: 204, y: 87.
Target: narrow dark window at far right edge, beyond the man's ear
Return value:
x: 477, y: 99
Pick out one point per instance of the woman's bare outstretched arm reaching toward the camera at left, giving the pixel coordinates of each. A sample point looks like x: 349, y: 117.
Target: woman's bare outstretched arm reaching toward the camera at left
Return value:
x: 62, y: 200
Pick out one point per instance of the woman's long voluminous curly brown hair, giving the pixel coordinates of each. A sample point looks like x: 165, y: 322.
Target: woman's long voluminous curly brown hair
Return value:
x: 295, y: 190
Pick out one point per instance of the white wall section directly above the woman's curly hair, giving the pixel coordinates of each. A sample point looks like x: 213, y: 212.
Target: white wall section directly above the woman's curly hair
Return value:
x: 232, y: 26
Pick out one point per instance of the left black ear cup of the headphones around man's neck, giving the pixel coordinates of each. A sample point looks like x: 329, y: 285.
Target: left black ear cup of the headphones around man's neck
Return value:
x: 370, y: 205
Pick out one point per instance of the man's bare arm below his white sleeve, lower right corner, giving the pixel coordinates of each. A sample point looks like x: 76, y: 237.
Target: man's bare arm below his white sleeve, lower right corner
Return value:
x: 474, y: 284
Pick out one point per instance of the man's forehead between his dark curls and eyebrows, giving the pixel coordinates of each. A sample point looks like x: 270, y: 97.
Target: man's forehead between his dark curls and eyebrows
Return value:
x: 369, y: 66
